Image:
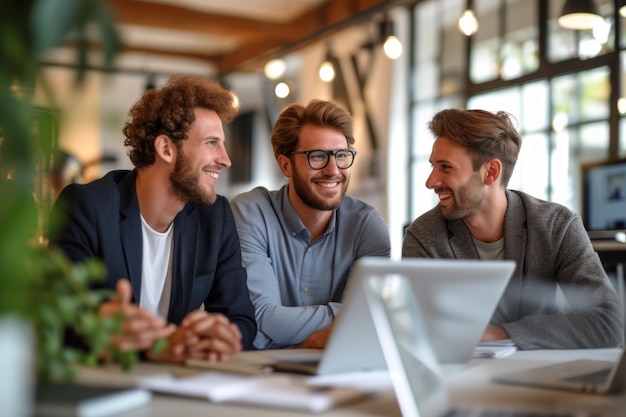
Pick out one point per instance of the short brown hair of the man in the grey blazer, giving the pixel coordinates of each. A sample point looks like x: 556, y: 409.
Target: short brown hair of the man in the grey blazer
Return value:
x: 485, y: 135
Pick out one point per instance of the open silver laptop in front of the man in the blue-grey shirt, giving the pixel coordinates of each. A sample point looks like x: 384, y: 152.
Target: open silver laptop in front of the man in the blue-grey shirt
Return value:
x: 458, y: 298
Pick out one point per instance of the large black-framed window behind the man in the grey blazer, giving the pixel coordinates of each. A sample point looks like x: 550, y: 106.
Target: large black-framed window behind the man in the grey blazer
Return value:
x: 562, y: 86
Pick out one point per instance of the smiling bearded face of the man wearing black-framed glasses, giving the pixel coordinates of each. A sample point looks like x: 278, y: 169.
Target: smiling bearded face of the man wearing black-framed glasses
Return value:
x: 319, y: 189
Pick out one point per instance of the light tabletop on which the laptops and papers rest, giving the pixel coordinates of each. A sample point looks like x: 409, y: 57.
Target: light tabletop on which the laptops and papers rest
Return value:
x: 469, y: 386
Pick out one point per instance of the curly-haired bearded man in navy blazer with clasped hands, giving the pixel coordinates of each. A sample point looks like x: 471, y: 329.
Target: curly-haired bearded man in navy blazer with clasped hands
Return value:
x: 168, y: 241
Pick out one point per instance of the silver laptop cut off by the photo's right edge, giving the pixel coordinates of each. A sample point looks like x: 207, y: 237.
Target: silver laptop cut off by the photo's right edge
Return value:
x: 584, y: 375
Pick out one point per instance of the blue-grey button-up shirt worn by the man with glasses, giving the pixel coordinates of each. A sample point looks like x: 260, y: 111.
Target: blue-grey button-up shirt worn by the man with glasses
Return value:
x: 297, y: 286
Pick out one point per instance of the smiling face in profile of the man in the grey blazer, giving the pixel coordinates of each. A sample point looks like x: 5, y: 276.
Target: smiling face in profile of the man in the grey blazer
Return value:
x: 460, y: 189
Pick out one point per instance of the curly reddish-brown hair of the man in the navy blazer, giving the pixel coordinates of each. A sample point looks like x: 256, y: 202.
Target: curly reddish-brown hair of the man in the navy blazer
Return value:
x: 169, y: 111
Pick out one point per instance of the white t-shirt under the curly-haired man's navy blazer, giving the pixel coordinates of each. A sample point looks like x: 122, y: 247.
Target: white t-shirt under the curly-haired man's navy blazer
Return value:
x: 156, y: 270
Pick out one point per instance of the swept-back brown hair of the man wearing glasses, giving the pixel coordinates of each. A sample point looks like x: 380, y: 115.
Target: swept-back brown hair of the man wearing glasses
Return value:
x: 287, y: 128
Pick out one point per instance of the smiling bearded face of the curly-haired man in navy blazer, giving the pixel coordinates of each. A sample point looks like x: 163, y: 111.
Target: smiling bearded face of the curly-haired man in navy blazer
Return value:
x: 200, y: 159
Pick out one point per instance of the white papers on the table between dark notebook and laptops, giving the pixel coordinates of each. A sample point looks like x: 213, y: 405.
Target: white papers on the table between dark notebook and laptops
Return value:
x: 274, y: 390
